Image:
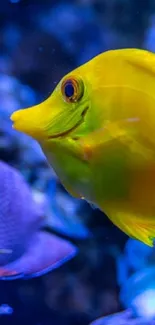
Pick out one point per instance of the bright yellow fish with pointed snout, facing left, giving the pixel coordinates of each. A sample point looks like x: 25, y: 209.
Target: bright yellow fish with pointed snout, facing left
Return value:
x: 97, y: 130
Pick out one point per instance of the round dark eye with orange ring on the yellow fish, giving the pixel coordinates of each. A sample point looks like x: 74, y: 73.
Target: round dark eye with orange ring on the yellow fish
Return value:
x: 72, y: 89
